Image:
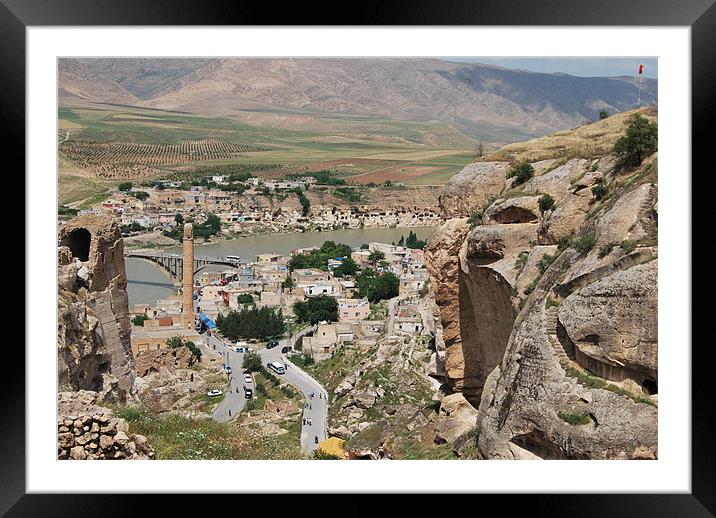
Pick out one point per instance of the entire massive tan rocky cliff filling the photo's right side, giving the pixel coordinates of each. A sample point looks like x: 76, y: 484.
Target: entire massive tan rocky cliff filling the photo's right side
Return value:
x: 549, y: 313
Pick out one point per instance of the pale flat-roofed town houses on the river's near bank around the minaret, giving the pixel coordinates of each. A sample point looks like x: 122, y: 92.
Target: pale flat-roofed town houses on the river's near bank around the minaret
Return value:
x: 269, y: 281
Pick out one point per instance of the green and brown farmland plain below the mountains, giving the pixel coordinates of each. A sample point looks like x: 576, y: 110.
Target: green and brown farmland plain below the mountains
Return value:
x: 420, y: 153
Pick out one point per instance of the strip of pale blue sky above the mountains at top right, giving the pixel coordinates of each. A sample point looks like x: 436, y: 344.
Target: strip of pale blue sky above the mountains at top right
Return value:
x: 587, y: 67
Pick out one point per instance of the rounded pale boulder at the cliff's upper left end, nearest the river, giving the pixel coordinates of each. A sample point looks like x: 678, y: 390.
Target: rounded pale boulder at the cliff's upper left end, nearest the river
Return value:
x: 471, y: 189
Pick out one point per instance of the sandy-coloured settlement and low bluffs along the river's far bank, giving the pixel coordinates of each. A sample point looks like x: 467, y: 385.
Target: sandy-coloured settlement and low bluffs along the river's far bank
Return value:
x: 244, y: 204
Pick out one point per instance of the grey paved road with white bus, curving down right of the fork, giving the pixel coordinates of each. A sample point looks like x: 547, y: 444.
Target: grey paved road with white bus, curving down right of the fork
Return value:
x: 315, y: 411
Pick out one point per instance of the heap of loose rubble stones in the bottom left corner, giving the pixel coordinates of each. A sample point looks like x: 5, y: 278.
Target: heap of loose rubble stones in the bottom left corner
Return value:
x: 87, y: 431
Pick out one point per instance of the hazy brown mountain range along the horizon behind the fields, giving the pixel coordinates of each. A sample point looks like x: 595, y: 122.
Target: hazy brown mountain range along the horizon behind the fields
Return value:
x: 483, y: 102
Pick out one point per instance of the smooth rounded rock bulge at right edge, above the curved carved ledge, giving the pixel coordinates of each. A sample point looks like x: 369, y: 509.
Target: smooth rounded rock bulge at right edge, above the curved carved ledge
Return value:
x: 612, y: 324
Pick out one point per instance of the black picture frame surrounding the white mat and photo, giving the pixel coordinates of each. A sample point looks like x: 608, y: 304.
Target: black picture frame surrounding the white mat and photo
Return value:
x: 700, y: 15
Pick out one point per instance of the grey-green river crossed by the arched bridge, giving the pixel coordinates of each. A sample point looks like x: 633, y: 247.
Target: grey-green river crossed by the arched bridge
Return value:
x: 148, y: 283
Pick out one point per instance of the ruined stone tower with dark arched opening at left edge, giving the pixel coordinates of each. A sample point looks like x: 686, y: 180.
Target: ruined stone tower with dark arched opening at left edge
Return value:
x: 94, y: 327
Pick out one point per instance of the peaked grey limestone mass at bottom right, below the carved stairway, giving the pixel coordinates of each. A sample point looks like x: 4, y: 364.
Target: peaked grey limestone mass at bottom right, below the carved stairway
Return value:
x: 524, y: 397
